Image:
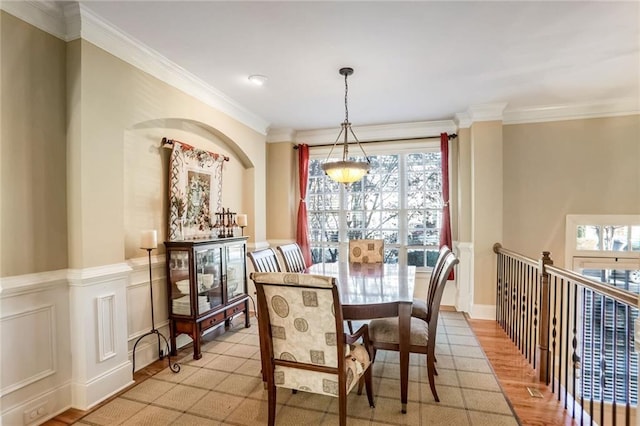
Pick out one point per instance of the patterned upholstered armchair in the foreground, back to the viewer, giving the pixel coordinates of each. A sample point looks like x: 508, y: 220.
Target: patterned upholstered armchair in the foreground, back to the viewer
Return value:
x: 302, y: 334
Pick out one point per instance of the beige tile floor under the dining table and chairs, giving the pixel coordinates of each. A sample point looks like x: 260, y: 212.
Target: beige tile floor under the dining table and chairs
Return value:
x: 224, y: 387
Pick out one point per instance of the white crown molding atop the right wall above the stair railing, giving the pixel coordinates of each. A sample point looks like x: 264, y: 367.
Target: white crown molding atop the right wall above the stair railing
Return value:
x: 605, y: 108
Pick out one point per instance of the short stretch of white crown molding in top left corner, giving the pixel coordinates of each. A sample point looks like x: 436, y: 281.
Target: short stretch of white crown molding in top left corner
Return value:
x: 46, y: 15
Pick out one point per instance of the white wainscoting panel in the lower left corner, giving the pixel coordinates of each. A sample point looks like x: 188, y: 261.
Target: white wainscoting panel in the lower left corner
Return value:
x: 34, y: 342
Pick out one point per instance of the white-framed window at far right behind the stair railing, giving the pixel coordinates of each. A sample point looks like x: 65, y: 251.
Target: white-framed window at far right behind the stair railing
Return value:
x: 605, y: 248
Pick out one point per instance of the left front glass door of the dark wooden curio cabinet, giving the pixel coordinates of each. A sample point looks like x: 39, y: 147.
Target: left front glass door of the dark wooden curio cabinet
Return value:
x: 208, y: 280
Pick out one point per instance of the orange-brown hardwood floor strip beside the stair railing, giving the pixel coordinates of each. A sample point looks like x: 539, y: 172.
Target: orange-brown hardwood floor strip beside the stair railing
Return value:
x: 515, y: 375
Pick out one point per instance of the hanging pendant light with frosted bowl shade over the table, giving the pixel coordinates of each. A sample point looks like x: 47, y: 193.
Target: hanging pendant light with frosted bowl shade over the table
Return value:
x: 346, y: 171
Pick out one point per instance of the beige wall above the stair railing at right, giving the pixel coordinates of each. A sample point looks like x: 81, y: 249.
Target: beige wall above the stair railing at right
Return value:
x: 567, y: 167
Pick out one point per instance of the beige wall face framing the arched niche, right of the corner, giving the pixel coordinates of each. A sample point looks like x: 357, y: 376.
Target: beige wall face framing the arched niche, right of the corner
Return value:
x: 115, y: 98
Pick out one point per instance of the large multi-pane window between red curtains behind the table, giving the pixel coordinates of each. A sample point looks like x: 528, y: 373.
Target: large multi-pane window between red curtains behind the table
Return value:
x: 400, y: 201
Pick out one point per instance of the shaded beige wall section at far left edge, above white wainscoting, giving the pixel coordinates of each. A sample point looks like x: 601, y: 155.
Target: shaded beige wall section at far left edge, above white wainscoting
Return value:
x: 33, y: 232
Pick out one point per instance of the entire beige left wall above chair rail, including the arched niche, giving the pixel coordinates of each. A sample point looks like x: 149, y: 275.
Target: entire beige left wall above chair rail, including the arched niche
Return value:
x: 68, y: 112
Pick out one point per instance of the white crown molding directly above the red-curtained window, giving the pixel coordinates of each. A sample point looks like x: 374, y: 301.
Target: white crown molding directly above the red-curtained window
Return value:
x: 421, y: 129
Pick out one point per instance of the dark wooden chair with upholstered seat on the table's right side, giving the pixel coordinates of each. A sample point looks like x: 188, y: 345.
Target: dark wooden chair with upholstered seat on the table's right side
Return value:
x: 385, y: 333
